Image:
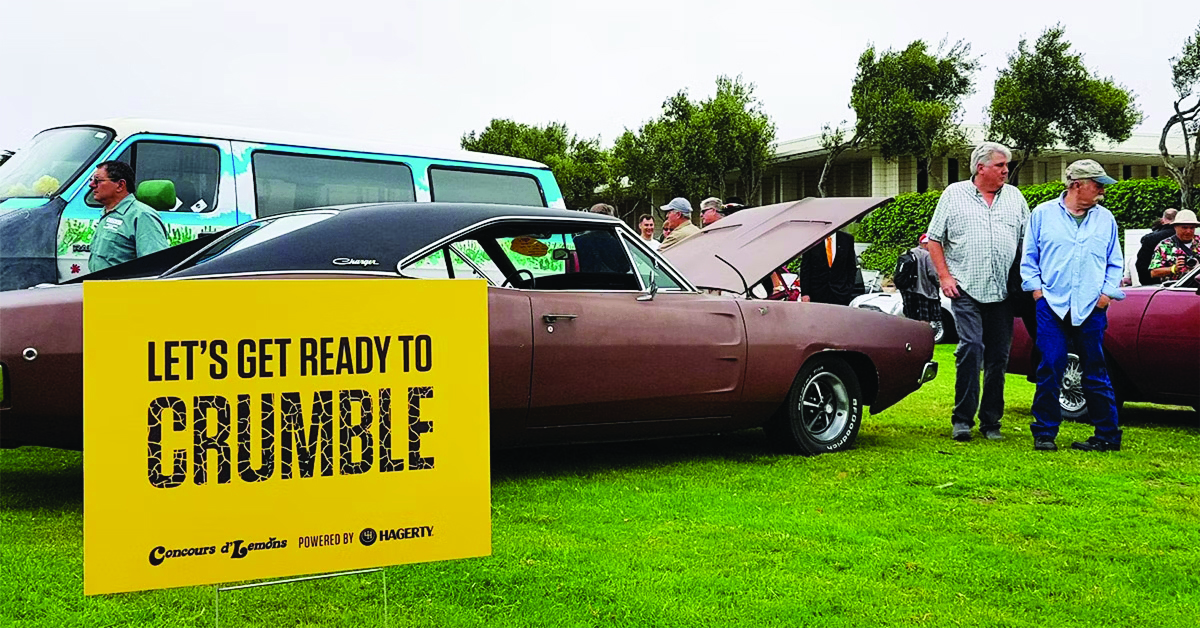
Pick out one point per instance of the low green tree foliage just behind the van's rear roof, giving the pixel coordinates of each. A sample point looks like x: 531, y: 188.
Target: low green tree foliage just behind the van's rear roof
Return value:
x: 579, y: 165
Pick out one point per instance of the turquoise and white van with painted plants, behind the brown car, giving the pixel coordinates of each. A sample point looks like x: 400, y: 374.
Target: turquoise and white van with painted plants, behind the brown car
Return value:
x: 224, y: 177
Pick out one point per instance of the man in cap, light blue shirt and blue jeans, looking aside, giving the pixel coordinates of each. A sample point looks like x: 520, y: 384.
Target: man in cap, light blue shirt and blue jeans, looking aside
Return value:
x: 1073, y: 266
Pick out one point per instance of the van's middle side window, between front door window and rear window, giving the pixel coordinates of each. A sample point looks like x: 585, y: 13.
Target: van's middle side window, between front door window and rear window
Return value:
x: 289, y: 183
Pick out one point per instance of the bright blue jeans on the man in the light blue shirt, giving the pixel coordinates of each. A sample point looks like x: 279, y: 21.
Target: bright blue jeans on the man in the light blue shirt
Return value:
x: 1055, y: 337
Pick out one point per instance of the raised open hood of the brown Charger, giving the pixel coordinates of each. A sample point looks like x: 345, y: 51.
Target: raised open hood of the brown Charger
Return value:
x: 757, y: 242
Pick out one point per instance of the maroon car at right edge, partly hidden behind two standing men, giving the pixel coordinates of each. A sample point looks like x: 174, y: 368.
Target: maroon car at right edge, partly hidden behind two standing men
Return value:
x: 1153, y: 346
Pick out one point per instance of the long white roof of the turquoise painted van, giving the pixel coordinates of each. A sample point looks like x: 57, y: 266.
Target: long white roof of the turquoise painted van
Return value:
x: 128, y: 127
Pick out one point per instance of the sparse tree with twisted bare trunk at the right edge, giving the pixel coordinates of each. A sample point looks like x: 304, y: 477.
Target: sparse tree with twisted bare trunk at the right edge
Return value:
x: 1186, y: 81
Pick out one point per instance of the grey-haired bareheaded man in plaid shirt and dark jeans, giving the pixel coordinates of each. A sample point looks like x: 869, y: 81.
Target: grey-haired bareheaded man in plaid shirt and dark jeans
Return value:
x: 974, y: 242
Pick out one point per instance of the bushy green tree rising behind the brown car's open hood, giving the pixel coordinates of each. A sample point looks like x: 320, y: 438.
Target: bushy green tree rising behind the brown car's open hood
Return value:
x: 695, y: 148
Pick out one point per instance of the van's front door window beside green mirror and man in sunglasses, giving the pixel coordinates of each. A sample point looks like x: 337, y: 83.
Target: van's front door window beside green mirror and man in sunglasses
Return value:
x: 194, y: 169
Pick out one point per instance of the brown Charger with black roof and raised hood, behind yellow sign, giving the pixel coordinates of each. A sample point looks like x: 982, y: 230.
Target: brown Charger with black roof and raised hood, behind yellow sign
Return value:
x: 593, y: 336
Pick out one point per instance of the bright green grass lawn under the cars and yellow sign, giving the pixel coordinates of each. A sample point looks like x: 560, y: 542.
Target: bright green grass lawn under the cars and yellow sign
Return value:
x: 910, y: 529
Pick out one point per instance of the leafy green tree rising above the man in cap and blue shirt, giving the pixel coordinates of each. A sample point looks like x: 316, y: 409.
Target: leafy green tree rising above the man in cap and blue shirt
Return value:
x: 1047, y: 97
